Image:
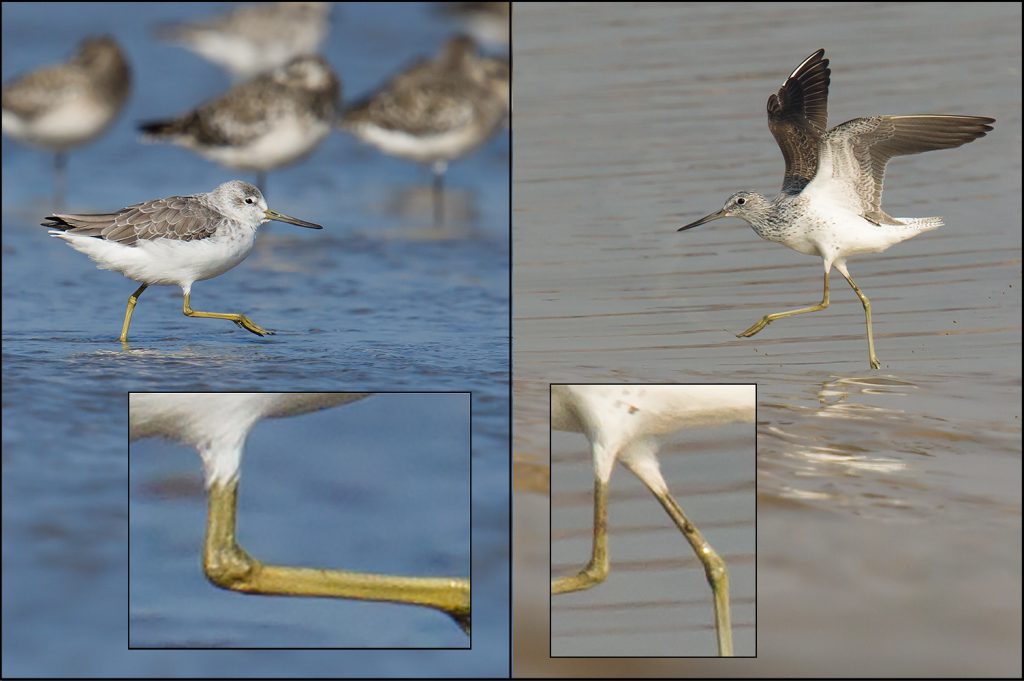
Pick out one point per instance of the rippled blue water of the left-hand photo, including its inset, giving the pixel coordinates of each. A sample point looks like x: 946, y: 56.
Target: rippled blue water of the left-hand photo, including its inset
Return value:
x: 378, y: 301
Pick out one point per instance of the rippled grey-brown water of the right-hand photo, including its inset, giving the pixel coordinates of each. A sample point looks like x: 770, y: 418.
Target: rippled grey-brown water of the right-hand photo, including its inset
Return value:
x: 888, y: 502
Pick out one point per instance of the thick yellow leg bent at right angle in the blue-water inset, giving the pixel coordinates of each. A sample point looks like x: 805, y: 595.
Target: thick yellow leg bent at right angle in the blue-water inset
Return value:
x: 228, y: 566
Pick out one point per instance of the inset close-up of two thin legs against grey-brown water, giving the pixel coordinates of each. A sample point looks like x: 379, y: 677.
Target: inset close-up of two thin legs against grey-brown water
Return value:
x: 679, y: 583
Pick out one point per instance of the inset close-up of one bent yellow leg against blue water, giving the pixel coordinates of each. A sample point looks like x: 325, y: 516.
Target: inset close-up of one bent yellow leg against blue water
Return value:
x: 355, y: 505
